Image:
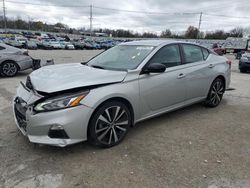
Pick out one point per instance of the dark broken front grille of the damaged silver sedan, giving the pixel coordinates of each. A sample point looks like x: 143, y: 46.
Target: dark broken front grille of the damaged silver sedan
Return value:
x: 20, y: 114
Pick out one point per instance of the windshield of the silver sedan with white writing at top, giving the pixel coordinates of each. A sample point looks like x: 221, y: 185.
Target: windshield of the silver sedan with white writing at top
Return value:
x: 123, y: 57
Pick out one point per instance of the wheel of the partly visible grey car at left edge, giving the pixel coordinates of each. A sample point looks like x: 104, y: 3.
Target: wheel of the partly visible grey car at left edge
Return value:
x: 9, y: 68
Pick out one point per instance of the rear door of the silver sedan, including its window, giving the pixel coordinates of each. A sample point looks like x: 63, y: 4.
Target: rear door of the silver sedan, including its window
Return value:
x: 197, y: 71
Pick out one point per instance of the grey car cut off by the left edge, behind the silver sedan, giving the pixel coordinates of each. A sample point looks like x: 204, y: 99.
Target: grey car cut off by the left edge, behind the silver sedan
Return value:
x: 13, y: 60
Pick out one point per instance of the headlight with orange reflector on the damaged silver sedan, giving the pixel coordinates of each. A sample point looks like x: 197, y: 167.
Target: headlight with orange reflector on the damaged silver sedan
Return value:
x: 59, y: 102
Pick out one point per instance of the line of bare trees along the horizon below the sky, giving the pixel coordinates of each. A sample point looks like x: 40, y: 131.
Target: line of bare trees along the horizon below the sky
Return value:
x: 191, y: 32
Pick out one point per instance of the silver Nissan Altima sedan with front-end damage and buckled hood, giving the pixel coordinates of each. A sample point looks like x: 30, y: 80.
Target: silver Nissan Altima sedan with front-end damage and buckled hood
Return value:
x: 100, y: 100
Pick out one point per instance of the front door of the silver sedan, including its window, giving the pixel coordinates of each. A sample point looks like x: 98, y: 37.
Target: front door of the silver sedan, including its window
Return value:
x: 161, y: 90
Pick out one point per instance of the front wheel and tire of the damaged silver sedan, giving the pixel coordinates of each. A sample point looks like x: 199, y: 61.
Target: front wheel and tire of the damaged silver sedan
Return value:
x: 109, y: 124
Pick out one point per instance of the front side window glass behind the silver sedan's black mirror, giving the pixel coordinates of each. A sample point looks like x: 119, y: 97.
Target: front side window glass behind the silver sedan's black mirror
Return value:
x: 168, y: 55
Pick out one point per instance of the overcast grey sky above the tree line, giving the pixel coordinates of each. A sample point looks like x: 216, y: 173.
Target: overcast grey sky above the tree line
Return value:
x: 174, y: 17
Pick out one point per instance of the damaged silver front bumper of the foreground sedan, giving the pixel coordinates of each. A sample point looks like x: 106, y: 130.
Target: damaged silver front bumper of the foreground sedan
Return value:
x: 37, y: 126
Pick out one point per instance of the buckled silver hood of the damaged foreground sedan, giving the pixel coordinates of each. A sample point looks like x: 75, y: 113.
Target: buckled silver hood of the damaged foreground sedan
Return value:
x: 54, y: 78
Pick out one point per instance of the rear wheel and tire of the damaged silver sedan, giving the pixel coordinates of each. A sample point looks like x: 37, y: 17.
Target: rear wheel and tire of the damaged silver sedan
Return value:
x: 215, y: 93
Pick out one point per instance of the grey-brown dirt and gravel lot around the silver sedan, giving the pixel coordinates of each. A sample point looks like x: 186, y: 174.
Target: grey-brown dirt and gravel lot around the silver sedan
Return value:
x: 192, y: 147
